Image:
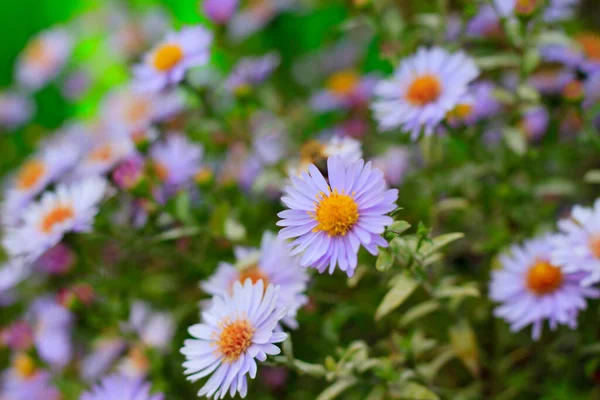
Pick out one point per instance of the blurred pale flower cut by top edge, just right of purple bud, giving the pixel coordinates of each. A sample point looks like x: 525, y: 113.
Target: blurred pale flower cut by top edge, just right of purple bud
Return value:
x: 255, y: 16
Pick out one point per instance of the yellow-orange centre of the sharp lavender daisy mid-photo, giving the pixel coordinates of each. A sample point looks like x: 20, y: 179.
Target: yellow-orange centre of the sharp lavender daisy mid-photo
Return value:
x: 335, y: 212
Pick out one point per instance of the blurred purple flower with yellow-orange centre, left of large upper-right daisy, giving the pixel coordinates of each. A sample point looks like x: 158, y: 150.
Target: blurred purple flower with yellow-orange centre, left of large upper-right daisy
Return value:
x: 343, y: 90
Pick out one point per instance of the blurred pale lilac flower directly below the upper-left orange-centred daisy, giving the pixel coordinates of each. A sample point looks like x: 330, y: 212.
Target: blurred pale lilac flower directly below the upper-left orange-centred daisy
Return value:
x: 129, y: 112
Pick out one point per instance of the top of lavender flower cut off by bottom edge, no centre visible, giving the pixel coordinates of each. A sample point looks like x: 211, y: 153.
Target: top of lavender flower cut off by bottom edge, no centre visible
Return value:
x: 121, y: 387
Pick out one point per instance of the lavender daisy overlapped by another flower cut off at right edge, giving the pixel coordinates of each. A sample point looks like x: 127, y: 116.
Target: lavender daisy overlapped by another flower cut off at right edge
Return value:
x: 533, y: 289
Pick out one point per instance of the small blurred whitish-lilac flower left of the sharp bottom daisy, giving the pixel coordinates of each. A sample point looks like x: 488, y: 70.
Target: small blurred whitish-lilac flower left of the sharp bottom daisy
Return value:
x: 155, y: 329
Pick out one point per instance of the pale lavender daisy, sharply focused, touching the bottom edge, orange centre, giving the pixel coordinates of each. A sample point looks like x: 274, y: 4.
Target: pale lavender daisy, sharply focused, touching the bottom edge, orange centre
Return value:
x: 236, y: 330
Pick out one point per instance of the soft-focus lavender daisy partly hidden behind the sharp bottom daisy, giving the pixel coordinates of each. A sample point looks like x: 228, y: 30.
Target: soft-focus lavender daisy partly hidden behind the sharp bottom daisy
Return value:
x: 265, y: 264
